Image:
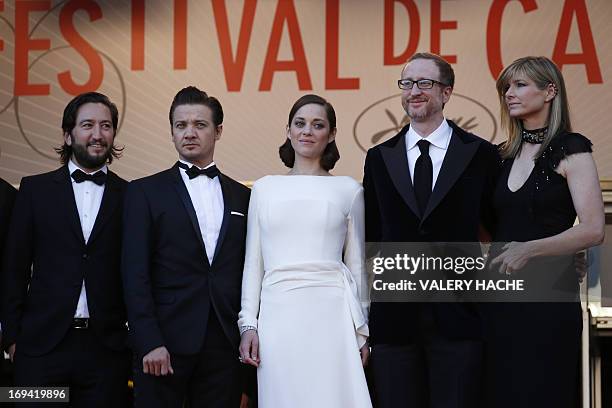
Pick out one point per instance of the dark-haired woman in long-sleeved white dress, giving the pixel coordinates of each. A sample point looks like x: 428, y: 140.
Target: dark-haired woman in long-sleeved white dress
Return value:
x: 303, y: 321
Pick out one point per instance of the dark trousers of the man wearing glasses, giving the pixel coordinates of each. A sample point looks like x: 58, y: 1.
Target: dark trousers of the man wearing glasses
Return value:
x: 432, y: 372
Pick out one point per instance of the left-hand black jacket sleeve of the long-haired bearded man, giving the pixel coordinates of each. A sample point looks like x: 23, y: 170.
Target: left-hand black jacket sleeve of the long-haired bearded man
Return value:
x: 17, y: 263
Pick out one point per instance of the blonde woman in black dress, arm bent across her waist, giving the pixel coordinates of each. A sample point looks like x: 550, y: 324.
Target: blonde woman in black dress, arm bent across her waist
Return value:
x: 548, y: 177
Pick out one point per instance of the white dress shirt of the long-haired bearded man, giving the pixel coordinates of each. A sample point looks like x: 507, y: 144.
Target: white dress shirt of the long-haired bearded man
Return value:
x: 88, y: 197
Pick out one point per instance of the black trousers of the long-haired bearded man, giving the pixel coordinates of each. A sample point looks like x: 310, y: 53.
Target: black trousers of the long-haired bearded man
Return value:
x: 96, y: 376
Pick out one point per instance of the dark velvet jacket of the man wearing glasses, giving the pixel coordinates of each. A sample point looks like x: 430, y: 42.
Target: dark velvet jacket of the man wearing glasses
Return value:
x: 459, y: 205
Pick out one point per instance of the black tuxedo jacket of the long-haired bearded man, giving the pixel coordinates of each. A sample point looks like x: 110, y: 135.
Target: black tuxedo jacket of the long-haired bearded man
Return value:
x: 46, y: 250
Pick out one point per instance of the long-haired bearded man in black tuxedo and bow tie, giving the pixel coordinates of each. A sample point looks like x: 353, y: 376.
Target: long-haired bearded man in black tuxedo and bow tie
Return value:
x: 64, y: 316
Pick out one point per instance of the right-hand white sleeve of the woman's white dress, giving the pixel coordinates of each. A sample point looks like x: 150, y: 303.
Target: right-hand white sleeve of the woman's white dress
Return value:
x: 354, y: 250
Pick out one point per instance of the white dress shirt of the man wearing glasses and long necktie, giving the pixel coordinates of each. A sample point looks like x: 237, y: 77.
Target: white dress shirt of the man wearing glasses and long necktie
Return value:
x: 439, y: 140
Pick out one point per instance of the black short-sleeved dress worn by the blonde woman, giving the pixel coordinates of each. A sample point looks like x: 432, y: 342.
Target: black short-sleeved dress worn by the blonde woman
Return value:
x: 532, y: 351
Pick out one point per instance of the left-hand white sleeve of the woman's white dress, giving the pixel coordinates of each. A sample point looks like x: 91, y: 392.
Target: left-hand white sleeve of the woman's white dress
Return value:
x: 253, y: 266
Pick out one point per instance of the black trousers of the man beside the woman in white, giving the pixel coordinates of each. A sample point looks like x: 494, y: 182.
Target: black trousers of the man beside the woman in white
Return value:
x: 211, y: 378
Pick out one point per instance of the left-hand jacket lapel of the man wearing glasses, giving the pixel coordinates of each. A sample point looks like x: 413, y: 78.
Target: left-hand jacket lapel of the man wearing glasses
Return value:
x: 396, y: 161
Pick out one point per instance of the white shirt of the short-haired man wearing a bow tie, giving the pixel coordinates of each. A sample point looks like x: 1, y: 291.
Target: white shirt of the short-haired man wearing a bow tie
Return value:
x: 207, y: 199
